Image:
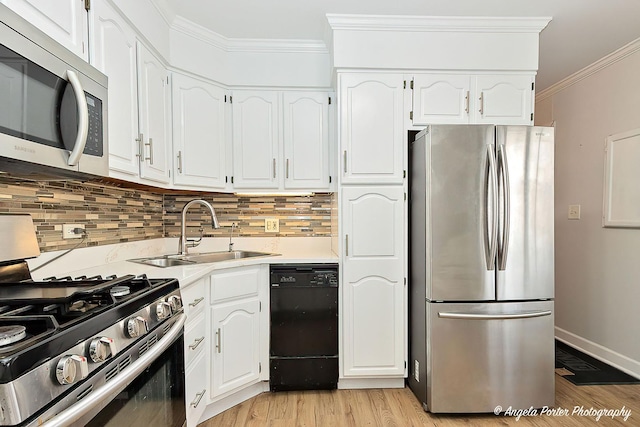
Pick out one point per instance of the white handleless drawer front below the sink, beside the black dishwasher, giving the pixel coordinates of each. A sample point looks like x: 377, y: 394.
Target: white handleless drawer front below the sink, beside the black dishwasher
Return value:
x: 235, y: 283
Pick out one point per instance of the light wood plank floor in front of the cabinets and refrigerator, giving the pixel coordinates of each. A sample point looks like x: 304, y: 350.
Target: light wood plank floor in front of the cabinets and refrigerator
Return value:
x: 399, y: 408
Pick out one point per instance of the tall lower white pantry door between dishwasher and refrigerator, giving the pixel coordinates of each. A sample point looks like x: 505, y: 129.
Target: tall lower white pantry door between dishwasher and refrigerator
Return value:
x: 373, y: 289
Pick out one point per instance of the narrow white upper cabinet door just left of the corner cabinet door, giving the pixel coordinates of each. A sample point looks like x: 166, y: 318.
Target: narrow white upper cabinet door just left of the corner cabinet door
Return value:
x: 154, y: 116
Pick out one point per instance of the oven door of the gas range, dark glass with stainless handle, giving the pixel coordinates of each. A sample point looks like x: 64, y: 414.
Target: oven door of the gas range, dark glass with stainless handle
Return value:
x: 149, y: 391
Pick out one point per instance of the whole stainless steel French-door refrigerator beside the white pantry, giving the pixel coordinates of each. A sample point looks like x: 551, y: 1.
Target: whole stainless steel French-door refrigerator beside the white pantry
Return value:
x: 482, y: 268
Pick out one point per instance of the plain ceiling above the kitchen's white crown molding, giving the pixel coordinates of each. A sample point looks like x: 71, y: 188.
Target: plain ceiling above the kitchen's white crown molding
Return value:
x: 581, y: 32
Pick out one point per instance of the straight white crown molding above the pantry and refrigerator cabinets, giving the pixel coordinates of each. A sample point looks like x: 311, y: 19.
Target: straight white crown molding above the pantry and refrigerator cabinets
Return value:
x: 437, y: 23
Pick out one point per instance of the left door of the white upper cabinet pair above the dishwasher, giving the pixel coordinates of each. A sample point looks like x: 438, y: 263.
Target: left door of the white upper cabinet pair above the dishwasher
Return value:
x: 255, y: 140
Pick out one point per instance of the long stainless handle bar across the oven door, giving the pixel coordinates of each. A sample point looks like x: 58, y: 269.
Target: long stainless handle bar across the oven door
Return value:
x: 119, y: 383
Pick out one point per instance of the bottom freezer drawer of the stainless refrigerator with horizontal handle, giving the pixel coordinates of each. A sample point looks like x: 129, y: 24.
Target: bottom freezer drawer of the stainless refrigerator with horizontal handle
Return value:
x: 483, y: 355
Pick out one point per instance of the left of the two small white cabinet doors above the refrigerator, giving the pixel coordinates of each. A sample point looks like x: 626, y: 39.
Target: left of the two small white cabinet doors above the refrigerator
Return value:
x: 441, y: 98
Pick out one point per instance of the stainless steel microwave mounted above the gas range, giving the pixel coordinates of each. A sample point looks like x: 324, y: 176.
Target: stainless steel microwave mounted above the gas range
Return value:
x: 53, y: 104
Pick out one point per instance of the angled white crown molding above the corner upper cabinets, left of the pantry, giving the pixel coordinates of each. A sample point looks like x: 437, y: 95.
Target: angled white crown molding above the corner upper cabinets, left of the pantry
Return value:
x: 205, y: 35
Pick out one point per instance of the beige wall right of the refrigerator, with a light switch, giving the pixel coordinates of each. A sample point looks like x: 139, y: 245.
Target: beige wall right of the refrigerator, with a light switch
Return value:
x: 597, y: 269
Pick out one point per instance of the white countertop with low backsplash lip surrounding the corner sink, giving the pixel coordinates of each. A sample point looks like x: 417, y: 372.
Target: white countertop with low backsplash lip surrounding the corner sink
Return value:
x: 112, y: 259
